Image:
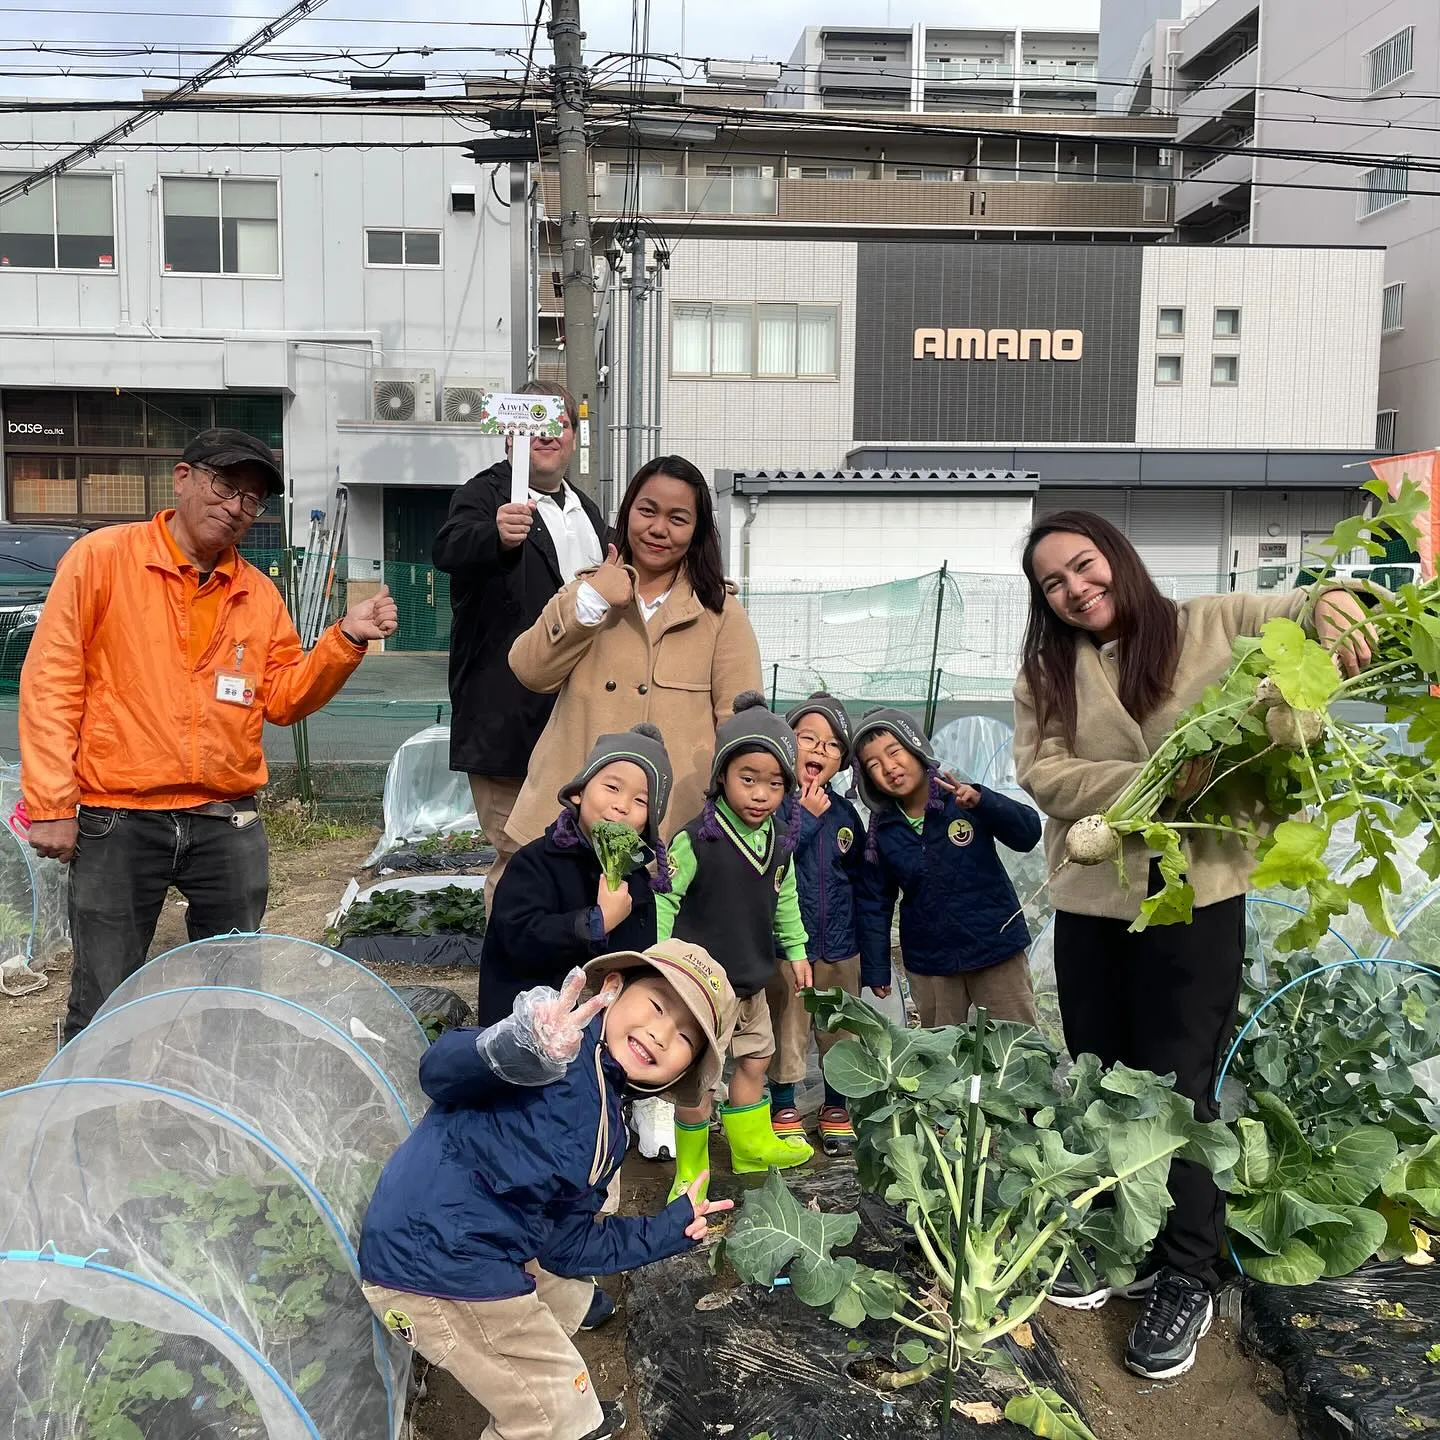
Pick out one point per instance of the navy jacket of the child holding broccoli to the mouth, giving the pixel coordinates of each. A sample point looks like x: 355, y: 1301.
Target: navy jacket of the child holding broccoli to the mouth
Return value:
x: 546, y: 922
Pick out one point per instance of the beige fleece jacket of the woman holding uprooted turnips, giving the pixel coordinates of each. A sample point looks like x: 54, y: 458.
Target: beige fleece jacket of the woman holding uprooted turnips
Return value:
x: 1111, y: 747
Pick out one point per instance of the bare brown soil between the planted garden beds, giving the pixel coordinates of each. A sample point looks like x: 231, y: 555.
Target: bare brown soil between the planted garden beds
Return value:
x: 1226, y: 1395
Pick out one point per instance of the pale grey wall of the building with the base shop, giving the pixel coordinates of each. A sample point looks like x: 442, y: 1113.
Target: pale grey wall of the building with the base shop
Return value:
x: 318, y: 330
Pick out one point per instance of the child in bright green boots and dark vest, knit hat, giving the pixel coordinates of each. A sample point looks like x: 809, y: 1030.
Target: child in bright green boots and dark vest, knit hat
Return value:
x: 734, y: 892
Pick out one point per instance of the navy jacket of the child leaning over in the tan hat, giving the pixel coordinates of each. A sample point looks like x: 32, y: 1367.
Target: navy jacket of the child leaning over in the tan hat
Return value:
x: 498, y: 1176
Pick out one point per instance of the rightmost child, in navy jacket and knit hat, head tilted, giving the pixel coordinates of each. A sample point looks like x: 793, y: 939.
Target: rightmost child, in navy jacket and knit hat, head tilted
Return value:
x: 932, y: 842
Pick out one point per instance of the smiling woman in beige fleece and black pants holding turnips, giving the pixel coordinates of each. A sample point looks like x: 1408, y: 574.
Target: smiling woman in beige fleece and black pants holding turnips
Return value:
x: 1108, y: 666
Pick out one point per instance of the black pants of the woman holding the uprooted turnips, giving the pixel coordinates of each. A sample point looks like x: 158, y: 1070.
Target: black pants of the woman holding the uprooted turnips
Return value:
x: 1163, y: 1000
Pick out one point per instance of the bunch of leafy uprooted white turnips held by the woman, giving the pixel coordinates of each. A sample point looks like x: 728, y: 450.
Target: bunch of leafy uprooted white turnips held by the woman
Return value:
x: 1277, y: 744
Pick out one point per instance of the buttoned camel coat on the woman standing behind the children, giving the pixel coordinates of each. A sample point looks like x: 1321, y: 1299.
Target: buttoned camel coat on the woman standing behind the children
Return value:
x: 682, y: 673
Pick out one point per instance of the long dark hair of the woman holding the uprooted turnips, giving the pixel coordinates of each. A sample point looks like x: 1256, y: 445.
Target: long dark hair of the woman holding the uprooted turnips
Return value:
x: 1147, y: 620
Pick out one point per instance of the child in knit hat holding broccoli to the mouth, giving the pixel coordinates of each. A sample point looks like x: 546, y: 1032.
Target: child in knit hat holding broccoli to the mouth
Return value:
x: 582, y: 888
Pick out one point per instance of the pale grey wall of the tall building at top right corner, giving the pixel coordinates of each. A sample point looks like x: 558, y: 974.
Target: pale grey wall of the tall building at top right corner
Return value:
x: 1321, y: 47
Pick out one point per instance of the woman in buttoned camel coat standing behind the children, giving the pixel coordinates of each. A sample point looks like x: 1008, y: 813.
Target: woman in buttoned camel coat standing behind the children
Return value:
x: 654, y: 634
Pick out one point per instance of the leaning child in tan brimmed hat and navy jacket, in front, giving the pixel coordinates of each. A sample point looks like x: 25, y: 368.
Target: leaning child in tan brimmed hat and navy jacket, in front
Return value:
x: 487, y: 1218
